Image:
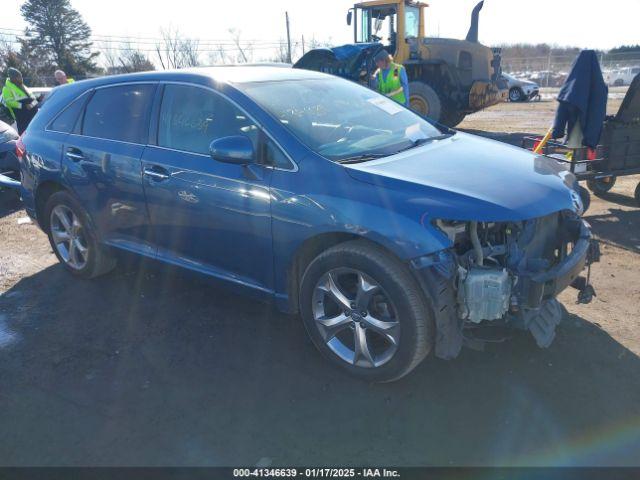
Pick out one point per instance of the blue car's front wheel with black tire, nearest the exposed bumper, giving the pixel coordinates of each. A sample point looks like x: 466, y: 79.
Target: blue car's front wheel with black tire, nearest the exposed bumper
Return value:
x: 365, y: 312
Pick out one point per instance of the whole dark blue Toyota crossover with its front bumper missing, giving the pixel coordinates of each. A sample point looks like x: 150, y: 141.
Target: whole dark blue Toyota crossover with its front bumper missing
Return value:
x: 391, y: 237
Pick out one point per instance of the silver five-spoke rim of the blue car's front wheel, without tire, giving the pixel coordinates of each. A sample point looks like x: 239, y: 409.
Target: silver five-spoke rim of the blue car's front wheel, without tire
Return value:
x: 356, y: 318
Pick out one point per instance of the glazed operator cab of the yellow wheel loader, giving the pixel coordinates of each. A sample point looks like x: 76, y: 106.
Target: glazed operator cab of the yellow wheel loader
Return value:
x: 392, y: 23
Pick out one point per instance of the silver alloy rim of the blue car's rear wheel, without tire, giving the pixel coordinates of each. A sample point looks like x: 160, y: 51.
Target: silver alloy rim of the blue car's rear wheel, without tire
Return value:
x: 68, y: 237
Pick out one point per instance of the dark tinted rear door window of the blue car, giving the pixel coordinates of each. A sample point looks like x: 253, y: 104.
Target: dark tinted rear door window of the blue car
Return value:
x: 120, y: 113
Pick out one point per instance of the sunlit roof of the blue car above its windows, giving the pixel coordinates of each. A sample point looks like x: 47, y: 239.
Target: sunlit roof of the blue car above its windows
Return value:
x: 225, y: 74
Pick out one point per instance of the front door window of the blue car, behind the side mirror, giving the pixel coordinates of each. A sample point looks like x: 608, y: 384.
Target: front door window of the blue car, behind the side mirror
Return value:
x: 192, y: 117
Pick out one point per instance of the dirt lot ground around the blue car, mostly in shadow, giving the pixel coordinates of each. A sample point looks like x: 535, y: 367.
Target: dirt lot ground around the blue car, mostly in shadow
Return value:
x: 153, y: 367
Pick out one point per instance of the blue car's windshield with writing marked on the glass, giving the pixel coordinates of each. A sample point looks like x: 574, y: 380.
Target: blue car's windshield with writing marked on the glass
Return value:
x: 340, y: 119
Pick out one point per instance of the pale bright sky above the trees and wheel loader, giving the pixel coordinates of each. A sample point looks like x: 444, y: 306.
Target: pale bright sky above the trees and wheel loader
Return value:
x: 583, y: 23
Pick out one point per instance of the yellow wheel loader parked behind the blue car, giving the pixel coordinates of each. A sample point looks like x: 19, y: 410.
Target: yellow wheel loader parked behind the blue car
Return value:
x: 449, y: 78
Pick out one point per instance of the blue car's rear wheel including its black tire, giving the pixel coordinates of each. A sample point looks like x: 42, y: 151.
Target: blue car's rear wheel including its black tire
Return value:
x: 73, y: 237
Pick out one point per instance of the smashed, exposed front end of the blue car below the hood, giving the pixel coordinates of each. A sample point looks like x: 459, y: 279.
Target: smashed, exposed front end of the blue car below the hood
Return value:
x: 504, y: 275
